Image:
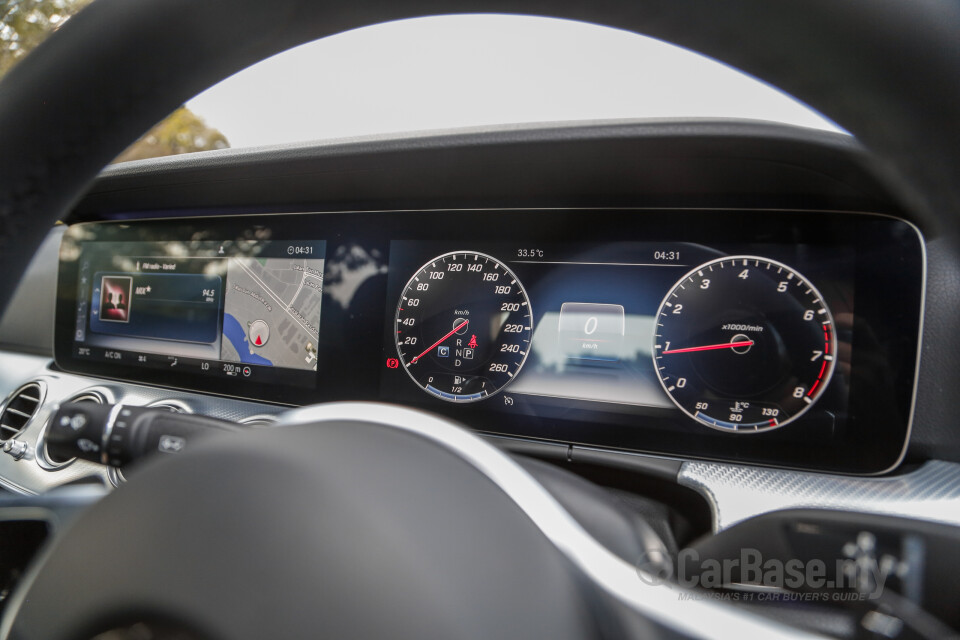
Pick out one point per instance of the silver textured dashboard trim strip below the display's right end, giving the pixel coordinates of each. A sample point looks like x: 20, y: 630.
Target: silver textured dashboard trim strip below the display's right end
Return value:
x: 737, y: 493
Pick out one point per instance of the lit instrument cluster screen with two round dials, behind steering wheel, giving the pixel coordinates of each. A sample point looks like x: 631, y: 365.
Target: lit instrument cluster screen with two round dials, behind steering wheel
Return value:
x: 736, y: 342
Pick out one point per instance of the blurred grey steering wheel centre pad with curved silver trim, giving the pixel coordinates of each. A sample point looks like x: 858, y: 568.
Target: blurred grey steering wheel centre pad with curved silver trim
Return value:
x: 360, y: 520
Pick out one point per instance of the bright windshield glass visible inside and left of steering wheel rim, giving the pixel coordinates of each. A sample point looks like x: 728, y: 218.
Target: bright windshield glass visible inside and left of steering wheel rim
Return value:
x: 439, y: 73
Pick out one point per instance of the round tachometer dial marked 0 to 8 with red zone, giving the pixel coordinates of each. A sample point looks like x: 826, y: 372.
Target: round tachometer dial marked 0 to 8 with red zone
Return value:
x: 744, y: 344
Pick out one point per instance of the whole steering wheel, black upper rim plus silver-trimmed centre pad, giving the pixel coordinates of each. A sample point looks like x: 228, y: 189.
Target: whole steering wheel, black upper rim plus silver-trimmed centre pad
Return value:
x: 369, y: 520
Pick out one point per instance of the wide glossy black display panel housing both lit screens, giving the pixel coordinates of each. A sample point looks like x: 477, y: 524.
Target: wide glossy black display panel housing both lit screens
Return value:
x: 787, y: 338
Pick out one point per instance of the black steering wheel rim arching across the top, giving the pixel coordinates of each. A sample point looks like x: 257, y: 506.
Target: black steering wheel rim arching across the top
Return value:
x: 885, y: 70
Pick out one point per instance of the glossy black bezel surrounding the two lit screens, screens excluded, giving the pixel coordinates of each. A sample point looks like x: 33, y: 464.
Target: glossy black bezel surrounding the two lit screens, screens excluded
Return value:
x: 887, y: 278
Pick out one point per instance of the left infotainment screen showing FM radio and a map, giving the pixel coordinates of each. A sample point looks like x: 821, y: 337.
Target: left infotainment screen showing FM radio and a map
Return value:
x: 234, y: 309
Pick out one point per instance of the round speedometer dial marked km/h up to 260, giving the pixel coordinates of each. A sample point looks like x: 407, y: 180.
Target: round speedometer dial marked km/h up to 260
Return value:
x: 463, y: 326
